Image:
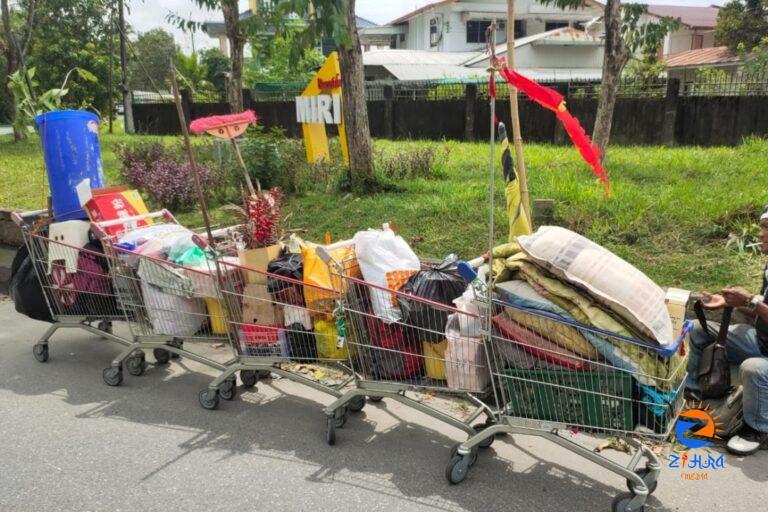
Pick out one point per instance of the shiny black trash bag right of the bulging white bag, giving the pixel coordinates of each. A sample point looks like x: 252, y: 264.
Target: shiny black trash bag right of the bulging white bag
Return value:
x: 440, y: 284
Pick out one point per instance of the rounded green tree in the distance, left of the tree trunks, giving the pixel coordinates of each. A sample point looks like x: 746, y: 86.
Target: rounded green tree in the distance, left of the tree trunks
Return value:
x: 150, y: 65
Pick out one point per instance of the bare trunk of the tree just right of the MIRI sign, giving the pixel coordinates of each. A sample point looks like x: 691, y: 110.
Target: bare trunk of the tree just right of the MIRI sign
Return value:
x: 355, y: 107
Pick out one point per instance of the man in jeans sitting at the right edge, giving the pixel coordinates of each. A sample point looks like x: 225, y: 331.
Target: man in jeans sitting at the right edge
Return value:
x: 747, y: 346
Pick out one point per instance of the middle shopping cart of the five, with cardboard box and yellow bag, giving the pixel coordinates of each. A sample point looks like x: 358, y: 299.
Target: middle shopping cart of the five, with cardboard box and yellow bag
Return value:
x: 274, y: 330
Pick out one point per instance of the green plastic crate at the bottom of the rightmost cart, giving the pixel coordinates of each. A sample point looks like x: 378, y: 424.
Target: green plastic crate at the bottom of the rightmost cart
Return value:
x: 599, y: 400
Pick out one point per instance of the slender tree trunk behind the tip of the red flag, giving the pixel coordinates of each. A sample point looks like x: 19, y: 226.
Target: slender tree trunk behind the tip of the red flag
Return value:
x: 614, y: 60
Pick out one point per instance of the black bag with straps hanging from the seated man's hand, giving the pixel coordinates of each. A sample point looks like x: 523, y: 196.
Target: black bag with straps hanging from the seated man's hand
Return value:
x: 714, y: 376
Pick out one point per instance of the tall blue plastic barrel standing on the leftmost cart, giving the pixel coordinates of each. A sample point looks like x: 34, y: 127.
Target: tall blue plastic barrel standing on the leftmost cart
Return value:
x: 70, y: 140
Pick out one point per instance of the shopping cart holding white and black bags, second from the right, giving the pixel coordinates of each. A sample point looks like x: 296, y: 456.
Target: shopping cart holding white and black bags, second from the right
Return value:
x: 393, y: 354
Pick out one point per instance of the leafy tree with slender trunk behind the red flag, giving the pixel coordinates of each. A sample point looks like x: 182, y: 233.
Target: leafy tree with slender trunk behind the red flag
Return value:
x: 625, y: 35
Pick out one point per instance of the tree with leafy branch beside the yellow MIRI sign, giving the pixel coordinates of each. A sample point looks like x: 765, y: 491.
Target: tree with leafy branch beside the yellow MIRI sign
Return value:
x: 336, y: 19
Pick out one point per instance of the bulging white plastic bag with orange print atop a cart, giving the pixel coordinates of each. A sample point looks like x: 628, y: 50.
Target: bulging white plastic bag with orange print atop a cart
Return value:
x: 387, y: 261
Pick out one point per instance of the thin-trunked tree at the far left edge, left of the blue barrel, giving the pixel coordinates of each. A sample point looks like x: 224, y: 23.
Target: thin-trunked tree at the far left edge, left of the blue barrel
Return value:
x: 12, y: 48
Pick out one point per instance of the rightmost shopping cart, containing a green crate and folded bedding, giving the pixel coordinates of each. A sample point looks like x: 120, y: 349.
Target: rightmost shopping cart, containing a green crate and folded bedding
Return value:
x: 554, y: 375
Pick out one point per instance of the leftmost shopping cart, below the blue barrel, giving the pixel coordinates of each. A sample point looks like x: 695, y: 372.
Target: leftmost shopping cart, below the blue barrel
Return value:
x: 73, y: 276
